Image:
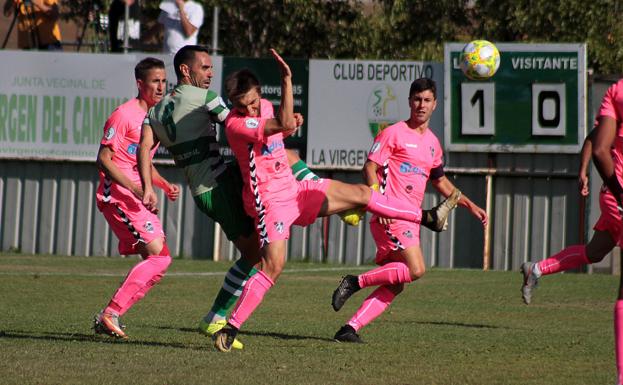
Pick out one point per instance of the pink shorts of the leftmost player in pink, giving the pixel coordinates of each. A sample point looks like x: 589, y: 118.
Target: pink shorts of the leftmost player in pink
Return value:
x: 132, y: 225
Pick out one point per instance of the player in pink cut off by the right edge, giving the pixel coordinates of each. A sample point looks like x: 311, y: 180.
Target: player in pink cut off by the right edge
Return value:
x: 605, y: 144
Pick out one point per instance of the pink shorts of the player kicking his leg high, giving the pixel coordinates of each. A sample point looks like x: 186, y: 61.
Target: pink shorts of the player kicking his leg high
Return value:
x: 279, y: 217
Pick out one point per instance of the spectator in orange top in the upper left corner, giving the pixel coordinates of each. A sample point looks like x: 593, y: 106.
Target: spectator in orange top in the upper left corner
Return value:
x: 37, y: 23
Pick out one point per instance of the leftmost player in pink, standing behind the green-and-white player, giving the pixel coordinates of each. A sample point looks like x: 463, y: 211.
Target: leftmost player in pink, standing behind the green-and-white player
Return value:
x: 119, y: 197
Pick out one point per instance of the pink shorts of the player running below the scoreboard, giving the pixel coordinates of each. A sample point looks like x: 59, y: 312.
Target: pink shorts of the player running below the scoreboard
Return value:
x: 398, y: 235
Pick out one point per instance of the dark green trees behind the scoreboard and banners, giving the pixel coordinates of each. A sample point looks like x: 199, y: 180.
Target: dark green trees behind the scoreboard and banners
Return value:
x: 399, y: 29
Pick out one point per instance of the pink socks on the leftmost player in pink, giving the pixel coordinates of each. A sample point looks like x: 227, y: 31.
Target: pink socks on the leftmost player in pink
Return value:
x: 139, y: 281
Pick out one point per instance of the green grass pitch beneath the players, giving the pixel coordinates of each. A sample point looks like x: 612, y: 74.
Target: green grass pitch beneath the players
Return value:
x: 451, y: 327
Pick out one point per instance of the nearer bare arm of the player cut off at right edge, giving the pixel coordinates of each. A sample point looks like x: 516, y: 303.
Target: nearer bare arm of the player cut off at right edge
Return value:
x: 604, y: 136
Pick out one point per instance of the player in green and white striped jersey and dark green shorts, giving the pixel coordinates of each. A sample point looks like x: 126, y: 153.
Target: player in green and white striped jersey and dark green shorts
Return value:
x: 184, y: 122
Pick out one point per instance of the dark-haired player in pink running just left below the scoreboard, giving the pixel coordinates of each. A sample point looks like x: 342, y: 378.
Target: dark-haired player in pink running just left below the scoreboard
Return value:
x: 402, y: 159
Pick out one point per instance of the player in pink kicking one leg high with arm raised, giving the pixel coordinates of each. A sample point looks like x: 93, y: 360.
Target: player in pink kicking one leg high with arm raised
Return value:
x: 272, y: 195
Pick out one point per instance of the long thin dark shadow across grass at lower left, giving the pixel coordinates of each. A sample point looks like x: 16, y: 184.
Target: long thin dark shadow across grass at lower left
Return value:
x: 49, y: 336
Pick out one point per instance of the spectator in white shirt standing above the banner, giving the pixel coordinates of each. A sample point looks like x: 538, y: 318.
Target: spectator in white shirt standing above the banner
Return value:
x: 181, y: 20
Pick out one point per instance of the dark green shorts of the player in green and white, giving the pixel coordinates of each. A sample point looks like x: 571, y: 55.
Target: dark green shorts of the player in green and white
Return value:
x: 224, y: 204
